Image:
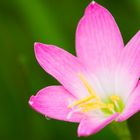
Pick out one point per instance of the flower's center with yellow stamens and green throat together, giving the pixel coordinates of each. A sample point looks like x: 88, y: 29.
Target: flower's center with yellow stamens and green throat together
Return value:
x: 92, y: 102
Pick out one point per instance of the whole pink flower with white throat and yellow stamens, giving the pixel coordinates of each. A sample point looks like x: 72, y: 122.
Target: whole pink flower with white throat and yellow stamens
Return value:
x: 98, y: 86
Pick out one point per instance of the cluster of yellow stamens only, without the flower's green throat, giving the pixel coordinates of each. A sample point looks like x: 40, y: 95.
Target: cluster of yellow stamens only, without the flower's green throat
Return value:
x: 93, y: 102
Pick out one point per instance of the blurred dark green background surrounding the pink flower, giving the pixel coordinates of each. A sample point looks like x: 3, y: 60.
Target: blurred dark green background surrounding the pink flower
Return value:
x: 23, y: 22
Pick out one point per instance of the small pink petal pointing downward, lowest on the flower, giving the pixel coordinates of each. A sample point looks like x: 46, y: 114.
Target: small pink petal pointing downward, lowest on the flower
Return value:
x: 90, y: 126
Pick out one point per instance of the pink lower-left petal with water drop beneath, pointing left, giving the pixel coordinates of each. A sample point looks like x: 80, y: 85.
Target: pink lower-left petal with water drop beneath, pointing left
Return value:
x: 53, y: 102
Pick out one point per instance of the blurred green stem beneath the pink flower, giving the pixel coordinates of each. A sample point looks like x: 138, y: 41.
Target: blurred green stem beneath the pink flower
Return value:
x: 121, y: 130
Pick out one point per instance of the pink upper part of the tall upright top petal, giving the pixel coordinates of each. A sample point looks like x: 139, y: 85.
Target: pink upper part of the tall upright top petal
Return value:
x: 98, y: 39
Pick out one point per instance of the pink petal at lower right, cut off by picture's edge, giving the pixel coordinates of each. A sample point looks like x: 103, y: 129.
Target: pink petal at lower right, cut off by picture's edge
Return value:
x: 132, y: 105
